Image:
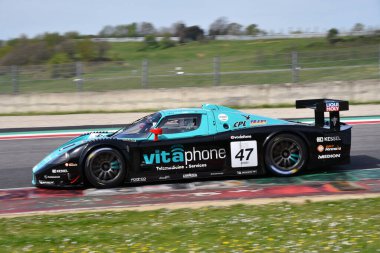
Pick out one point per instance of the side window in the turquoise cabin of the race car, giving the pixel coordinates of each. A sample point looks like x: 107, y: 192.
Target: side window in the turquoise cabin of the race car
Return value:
x: 180, y: 124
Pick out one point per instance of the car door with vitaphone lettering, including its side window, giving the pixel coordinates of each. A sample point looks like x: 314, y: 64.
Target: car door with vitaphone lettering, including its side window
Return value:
x: 184, y: 149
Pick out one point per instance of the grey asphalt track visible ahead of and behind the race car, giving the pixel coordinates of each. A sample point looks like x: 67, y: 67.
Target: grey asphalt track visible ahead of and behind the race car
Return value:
x: 17, y: 157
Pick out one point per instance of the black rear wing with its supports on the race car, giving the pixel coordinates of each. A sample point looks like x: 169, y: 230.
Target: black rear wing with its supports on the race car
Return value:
x: 320, y: 106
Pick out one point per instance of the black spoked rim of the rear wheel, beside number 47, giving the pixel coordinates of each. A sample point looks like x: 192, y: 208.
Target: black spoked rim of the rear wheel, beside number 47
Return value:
x: 286, y: 155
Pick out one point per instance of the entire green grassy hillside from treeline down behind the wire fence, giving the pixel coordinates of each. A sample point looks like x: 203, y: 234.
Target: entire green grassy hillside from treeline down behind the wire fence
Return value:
x: 195, y: 64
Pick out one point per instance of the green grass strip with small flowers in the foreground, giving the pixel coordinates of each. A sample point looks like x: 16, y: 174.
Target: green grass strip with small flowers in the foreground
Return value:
x: 339, y: 226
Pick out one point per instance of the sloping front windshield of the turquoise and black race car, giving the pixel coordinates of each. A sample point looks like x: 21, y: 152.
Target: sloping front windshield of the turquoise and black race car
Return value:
x: 140, y: 128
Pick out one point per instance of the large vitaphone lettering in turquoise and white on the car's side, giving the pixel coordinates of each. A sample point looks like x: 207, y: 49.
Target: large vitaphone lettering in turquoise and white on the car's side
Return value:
x: 178, y: 154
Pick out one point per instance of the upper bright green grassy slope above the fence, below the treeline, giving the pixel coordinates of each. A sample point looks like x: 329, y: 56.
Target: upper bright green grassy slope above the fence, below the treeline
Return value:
x: 201, y: 50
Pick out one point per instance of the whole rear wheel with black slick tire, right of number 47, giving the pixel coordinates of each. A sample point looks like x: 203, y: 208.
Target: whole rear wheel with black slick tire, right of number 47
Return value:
x: 285, y: 155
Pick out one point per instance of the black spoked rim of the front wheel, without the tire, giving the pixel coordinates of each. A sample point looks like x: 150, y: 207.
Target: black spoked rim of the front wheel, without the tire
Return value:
x: 105, y: 166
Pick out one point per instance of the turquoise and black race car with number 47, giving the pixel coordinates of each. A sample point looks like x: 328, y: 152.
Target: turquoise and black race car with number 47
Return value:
x: 207, y: 142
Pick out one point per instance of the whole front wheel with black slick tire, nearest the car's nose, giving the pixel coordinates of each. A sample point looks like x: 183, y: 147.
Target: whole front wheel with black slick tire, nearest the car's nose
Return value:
x: 105, y: 168
